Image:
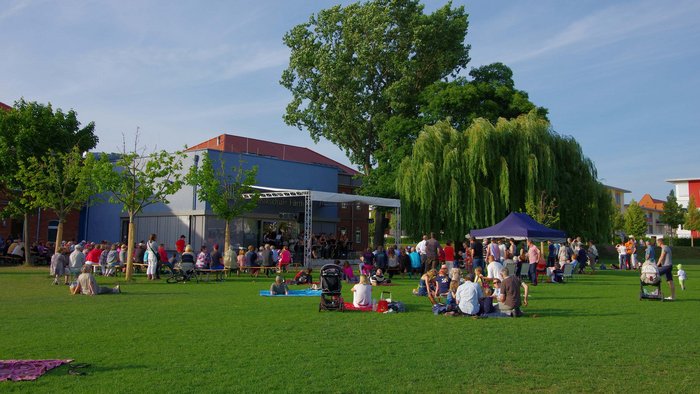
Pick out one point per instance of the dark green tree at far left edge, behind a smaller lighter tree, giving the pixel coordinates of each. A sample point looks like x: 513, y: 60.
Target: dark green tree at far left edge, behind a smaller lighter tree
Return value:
x: 31, y: 129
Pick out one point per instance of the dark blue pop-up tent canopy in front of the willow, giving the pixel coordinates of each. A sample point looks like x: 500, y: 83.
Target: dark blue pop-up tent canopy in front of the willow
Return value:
x: 520, y: 226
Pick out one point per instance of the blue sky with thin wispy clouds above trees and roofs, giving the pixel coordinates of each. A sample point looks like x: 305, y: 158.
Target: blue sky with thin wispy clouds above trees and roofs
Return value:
x: 619, y: 76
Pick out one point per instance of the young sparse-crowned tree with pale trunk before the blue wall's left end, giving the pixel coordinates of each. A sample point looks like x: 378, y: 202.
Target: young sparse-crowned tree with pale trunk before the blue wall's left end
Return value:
x: 137, y: 180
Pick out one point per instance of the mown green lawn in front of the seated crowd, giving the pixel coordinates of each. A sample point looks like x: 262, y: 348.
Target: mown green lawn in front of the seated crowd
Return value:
x: 591, y: 335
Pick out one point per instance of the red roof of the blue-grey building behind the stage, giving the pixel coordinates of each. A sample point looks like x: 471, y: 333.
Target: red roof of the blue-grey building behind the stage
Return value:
x: 238, y: 144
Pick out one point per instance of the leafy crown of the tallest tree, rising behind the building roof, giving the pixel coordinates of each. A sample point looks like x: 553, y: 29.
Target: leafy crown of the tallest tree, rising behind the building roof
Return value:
x: 353, y: 68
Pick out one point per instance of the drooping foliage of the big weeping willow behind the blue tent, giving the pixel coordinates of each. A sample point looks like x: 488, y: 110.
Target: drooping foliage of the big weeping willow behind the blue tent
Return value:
x: 455, y: 181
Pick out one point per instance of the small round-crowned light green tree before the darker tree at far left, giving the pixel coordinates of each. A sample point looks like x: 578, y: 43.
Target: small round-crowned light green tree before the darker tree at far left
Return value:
x: 60, y: 182
